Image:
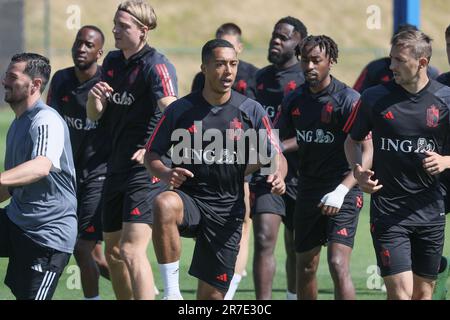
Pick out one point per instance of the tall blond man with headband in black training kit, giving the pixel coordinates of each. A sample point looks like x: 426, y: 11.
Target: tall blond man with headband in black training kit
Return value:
x: 138, y: 82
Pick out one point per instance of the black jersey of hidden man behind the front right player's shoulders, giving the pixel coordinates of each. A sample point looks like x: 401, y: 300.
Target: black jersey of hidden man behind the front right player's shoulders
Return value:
x: 378, y: 72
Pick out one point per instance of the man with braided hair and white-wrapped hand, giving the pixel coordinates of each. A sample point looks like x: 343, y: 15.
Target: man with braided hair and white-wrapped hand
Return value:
x: 328, y: 200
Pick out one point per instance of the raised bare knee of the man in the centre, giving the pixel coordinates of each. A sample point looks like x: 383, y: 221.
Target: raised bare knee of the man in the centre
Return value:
x: 166, y: 208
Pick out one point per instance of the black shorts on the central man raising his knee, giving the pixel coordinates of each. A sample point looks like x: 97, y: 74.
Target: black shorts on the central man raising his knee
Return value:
x: 217, y: 242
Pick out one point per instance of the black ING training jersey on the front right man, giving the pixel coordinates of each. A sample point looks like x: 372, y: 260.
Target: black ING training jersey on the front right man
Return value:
x: 404, y: 126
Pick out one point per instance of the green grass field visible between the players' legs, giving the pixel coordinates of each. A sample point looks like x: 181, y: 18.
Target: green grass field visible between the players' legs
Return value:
x: 367, y: 284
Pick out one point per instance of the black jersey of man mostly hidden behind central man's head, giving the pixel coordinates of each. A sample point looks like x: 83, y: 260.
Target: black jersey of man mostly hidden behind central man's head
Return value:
x: 244, y: 82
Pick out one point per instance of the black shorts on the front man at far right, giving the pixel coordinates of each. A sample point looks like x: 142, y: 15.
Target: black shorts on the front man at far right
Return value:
x: 405, y: 248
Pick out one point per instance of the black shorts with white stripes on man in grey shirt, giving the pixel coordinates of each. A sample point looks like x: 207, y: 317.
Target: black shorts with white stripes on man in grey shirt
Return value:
x: 33, y: 270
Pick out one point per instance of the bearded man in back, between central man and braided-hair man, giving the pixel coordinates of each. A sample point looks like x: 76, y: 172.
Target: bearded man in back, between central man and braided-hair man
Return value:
x: 273, y: 83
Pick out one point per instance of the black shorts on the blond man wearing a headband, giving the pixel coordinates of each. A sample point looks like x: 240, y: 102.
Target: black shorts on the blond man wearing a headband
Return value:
x: 128, y: 197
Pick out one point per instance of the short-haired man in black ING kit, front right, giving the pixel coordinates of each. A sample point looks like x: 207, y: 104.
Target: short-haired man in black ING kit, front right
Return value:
x: 409, y: 120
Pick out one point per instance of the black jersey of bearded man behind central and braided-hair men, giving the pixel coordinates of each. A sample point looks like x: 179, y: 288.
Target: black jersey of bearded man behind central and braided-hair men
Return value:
x: 272, y: 85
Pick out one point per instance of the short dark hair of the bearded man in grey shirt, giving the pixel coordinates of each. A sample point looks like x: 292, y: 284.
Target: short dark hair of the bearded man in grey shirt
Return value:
x: 37, y: 66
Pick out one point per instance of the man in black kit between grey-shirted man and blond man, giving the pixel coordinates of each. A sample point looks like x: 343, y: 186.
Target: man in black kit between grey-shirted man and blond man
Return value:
x: 91, y: 146
